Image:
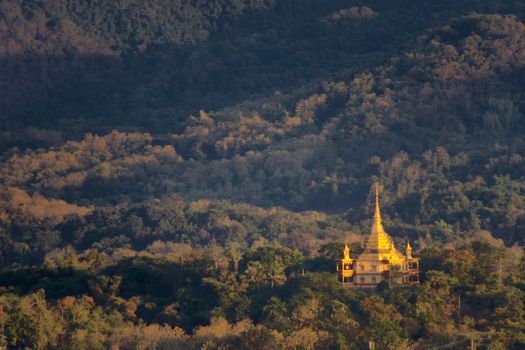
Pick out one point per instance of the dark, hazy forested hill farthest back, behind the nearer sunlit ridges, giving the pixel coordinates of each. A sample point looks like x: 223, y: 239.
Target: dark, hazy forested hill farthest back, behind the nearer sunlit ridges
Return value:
x: 77, y: 66
